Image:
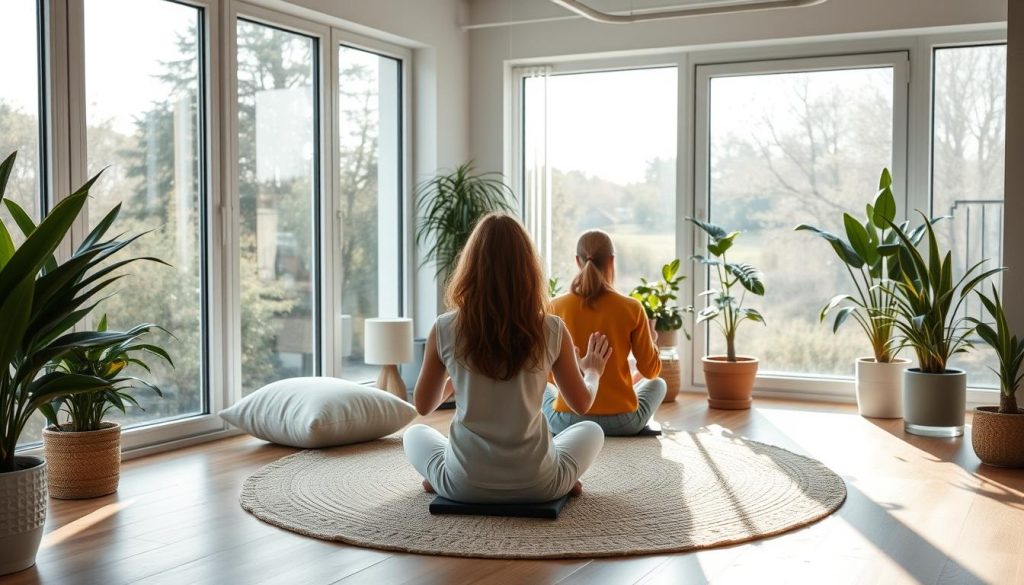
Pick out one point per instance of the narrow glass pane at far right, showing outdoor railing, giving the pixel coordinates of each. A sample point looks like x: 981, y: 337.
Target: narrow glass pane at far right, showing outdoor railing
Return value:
x: 968, y: 166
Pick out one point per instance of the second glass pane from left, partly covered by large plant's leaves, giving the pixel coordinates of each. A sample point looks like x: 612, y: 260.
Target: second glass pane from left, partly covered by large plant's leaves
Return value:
x: 144, y: 126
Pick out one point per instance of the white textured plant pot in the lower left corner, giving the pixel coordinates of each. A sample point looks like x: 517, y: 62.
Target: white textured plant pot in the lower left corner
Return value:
x: 23, y: 514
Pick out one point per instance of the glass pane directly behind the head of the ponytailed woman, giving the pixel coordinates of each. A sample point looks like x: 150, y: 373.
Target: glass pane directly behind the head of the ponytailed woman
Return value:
x: 613, y: 165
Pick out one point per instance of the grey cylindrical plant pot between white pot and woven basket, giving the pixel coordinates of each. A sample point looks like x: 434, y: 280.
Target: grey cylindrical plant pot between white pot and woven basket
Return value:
x: 934, y: 405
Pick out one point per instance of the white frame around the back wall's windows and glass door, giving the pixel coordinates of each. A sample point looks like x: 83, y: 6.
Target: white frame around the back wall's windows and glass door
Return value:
x: 916, y: 148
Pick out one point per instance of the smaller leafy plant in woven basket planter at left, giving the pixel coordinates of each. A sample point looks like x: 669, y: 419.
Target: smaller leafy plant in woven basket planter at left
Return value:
x: 83, y: 453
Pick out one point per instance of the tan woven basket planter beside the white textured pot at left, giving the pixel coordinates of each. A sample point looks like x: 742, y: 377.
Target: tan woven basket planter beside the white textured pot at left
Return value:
x: 83, y: 465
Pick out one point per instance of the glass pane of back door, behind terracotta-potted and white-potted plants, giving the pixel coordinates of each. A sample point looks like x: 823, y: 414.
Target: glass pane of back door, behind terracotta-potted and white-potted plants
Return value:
x: 789, y: 149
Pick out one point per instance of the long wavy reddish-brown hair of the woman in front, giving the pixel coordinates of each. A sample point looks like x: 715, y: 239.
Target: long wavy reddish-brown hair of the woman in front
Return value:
x: 498, y: 288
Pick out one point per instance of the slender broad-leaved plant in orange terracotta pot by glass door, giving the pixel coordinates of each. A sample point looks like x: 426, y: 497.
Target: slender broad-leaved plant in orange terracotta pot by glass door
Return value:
x: 731, y: 378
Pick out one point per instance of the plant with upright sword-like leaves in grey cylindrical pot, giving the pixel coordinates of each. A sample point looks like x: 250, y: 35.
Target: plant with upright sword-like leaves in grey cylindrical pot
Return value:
x: 929, y: 320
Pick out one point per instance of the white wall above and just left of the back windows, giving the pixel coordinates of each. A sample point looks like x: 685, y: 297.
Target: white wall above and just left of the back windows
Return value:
x: 492, y: 48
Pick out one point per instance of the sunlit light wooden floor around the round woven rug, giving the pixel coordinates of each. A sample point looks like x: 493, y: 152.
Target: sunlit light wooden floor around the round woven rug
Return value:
x: 919, y: 511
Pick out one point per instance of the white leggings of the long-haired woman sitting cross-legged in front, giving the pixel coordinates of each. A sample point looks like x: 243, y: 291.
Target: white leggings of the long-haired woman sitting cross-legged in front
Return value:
x: 576, y: 449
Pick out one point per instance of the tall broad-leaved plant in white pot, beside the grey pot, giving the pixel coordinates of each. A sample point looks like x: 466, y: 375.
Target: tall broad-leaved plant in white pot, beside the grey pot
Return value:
x: 872, y: 306
